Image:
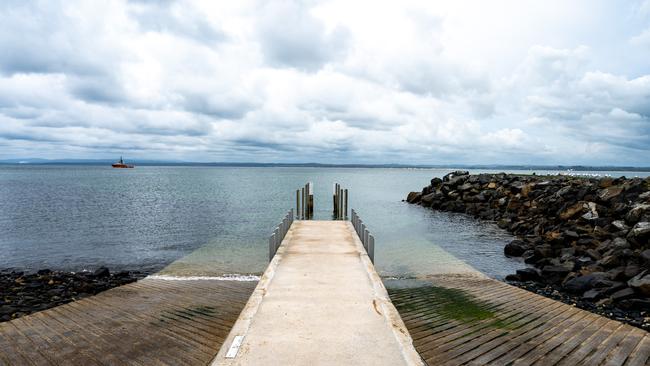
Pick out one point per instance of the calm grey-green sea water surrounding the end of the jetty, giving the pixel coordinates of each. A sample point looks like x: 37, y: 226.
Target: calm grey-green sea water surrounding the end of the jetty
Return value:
x: 213, y: 220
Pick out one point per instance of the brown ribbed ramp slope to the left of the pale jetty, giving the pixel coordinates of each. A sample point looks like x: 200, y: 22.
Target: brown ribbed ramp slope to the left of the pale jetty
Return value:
x: 150, y: 322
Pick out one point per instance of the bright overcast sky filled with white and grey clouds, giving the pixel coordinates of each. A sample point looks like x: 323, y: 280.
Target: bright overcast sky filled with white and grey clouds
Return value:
x: 412, y: 82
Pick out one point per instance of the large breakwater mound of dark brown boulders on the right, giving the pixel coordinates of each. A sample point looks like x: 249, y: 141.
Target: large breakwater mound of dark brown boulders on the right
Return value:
x: 587, y: 236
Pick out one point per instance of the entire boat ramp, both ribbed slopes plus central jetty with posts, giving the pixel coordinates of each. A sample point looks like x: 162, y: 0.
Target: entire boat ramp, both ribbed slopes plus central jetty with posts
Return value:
x: 320, y: 302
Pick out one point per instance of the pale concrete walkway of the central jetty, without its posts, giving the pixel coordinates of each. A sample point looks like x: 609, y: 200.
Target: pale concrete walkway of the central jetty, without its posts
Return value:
x: 320, y: 302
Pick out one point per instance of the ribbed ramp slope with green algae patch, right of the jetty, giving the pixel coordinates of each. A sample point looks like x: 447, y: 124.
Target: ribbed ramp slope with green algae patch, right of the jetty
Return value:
x: 457, y: 320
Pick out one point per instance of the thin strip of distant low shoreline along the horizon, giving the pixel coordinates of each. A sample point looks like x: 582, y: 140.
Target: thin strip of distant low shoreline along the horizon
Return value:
x: 578, y: 168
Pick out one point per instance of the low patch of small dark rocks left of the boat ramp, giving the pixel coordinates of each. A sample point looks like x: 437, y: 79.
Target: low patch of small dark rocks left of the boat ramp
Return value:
x: 22, y: 294
